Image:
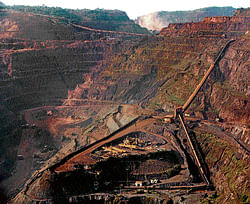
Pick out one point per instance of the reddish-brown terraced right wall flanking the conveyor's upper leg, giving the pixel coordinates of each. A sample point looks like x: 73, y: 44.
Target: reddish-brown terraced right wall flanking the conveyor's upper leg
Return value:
x: 173, y: 65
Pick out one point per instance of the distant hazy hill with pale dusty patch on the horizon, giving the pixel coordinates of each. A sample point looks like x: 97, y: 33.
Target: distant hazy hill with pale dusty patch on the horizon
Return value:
x: 159, y: 20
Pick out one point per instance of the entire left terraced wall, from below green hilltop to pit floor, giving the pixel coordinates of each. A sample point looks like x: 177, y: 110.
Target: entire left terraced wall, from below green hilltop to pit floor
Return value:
x: 40, y: 65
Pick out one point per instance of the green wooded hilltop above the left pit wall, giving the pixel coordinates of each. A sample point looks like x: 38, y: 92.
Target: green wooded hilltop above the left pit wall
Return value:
x: 114, y: 20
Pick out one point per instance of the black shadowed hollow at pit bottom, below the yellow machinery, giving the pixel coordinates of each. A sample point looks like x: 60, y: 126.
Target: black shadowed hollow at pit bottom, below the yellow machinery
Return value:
x: 110, y: 174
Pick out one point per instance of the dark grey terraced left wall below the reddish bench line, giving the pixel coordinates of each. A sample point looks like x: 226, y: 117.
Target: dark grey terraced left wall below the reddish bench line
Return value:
x: 43, y: 77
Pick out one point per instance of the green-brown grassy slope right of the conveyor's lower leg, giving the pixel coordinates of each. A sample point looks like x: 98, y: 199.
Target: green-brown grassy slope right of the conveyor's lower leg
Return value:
x: 231, y: 170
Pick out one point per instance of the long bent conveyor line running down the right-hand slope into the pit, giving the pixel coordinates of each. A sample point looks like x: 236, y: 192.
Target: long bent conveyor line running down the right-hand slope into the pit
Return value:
x: 179, y: 112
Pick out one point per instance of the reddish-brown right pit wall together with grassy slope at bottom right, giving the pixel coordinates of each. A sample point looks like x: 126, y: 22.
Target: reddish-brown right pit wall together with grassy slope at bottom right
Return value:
x: 172, y: 66
